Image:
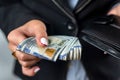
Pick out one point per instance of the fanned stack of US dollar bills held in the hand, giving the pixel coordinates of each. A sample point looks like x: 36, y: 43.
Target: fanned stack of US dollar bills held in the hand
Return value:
x: 59, y: 47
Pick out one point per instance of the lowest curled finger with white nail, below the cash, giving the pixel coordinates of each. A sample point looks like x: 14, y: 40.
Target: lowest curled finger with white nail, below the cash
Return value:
x: 30, y: 71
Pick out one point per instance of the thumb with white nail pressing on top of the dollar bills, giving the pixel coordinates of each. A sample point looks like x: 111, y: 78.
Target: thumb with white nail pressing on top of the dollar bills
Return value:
x: 38, y: 29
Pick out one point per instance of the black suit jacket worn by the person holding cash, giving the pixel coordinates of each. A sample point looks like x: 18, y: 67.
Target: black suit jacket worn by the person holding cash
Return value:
x: 60, y: 19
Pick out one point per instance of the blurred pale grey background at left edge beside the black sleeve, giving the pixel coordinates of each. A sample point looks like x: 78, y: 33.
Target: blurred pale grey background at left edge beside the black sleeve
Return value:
x: 6, y: 60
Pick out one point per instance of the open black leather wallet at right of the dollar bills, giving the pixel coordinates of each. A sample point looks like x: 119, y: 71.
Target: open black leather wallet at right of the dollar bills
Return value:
x: 104, y: 33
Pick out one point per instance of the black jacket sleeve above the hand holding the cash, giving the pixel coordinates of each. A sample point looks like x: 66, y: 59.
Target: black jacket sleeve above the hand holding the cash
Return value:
x: 14, y: 15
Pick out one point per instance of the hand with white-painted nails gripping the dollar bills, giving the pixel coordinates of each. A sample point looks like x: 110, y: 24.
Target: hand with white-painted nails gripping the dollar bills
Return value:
x: 34, y: 28
